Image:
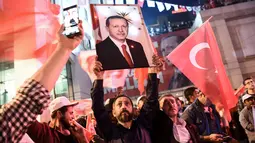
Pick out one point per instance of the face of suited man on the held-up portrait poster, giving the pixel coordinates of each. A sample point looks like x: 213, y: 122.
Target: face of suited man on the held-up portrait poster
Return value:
x: 118, y: 29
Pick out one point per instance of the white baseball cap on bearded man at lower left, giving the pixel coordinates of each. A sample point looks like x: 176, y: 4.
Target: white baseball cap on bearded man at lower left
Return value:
x: 60, y: 102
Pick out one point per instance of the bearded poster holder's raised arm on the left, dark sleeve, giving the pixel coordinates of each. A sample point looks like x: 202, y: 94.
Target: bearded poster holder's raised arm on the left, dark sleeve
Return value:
x: 97, y: 94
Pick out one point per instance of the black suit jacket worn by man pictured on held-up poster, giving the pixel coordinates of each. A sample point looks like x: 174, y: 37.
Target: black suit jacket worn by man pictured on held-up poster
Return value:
x: 111, y: 58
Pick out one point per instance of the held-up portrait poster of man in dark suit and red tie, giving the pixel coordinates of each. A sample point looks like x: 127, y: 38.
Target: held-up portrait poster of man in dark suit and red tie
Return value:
x: 122, y: 39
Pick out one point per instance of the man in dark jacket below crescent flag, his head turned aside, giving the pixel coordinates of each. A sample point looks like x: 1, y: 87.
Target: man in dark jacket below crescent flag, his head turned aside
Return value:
x: 203, y: 114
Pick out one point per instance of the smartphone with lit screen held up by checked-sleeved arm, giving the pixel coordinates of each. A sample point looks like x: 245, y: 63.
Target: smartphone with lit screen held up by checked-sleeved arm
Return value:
x: 71, y: 21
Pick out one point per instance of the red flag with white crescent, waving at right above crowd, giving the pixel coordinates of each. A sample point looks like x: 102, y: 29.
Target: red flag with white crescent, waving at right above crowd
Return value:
x: 198, y: 57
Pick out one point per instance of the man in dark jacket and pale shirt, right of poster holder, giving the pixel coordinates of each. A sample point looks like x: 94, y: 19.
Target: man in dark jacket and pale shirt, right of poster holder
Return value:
x: 168, y: 127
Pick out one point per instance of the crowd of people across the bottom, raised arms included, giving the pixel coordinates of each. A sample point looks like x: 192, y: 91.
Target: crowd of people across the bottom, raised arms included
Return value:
x: 157, y: 119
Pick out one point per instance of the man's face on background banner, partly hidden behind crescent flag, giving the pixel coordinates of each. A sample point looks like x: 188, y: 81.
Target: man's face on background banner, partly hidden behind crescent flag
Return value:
x: 168, y: 45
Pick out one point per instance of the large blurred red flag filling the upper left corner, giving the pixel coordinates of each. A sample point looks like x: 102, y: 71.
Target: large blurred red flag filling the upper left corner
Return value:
x: 29, y: 29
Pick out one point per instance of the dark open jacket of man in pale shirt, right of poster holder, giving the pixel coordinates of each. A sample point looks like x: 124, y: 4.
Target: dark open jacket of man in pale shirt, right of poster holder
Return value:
x: 162, y: 131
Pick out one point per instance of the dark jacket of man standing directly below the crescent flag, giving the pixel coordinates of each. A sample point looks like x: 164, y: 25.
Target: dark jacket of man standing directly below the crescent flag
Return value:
x: 194, y: 114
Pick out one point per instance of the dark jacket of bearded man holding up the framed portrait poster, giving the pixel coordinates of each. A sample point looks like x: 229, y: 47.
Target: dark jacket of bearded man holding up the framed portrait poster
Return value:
x: 116, y: 133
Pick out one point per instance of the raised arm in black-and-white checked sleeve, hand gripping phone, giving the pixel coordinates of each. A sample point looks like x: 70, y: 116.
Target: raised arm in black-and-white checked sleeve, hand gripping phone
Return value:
x: 33, y: 96
